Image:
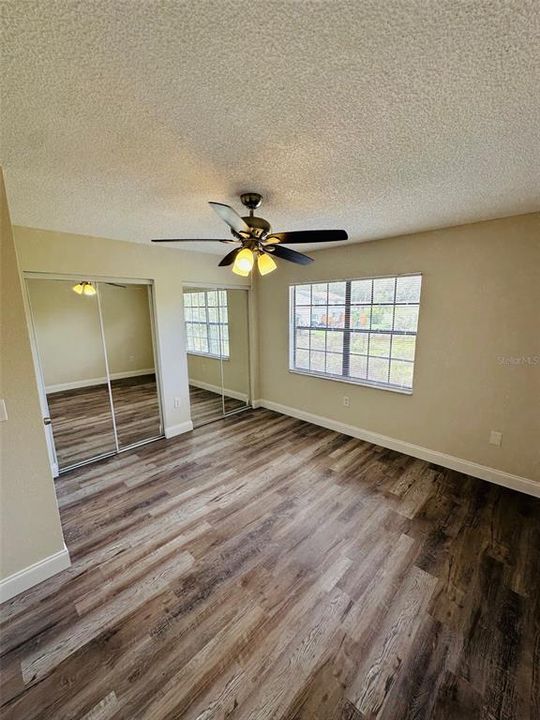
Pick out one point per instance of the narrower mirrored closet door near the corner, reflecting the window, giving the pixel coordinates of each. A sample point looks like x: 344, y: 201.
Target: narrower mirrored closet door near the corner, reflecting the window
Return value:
x: 217, y: 344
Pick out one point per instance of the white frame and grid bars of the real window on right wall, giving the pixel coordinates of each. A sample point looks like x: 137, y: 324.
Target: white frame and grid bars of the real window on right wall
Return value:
x: 348, y: 332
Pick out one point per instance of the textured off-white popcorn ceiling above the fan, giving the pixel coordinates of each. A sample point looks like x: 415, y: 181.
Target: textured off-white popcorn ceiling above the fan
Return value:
x: 123, y: 119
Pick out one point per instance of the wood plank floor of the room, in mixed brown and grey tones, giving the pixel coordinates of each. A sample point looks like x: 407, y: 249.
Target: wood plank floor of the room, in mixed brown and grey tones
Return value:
x: 262, y: 567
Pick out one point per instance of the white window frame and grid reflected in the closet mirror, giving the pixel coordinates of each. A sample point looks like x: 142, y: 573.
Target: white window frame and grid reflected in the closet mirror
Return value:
x: 222, y: 324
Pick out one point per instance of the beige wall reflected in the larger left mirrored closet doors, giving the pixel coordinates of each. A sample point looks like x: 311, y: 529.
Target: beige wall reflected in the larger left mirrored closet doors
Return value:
x: 69, y: 337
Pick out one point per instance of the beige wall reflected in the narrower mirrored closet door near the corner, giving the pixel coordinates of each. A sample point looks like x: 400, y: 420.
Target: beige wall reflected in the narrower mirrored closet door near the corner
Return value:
x: 236, y: 367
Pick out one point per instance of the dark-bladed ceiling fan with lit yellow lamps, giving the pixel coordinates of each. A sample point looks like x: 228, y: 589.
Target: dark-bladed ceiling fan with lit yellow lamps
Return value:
x: 258, y: 241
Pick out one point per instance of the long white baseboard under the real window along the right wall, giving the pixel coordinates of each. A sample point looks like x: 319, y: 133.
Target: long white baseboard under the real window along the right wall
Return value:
x: 467, y: 467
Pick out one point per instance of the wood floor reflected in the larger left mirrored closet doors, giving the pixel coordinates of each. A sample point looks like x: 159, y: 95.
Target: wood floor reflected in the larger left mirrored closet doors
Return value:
x: 81, y: 418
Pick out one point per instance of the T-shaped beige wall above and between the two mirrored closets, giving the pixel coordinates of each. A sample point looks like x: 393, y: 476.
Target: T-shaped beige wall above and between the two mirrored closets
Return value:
x: 61, y: 253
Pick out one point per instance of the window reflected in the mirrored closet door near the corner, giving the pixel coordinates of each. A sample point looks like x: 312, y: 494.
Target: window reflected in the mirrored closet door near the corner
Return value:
x: 207, y: 328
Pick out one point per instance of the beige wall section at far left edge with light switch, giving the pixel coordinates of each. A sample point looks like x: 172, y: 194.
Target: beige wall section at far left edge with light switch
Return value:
x: 29, y: 519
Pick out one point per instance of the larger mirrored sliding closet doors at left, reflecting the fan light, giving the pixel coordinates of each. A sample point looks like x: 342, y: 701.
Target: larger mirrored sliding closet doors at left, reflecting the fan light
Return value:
x: 93, y: 343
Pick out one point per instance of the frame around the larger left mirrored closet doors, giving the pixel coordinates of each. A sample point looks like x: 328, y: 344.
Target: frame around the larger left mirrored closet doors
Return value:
x: 96, y: 280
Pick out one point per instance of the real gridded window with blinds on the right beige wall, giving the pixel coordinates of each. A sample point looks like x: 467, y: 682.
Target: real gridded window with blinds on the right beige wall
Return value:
x: 361, y: 331
